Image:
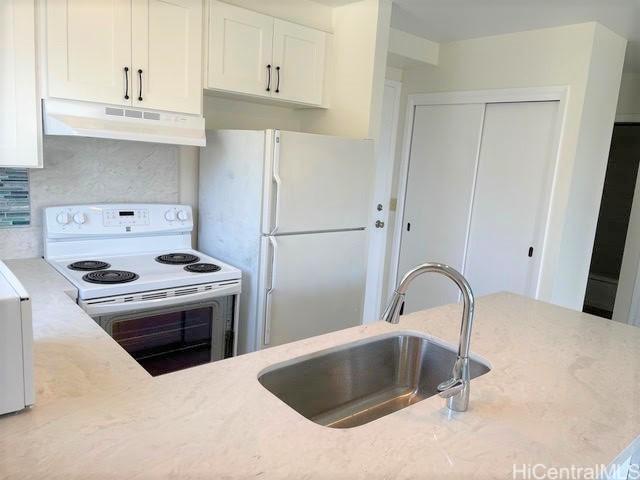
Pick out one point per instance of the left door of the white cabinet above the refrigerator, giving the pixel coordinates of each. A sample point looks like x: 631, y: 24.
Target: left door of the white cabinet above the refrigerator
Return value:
x: 240, y: 50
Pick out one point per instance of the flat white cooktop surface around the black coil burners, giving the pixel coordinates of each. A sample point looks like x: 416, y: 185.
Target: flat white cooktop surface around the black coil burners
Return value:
x: 151, y: 274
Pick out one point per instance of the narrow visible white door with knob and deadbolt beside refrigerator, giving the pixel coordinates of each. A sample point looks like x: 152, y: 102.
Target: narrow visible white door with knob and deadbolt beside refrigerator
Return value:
x: 378, y: 231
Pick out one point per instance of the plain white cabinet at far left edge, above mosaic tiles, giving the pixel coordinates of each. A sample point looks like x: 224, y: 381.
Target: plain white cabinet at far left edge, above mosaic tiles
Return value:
x: 20, y: 143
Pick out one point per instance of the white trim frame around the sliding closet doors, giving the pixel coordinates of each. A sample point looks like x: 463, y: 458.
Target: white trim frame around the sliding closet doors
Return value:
x: 509, y: 95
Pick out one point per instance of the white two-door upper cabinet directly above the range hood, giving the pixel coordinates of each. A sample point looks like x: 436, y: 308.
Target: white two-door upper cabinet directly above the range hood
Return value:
x: 143, y: 53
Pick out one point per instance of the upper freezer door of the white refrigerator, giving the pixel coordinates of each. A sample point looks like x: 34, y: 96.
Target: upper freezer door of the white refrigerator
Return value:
x: 316, y: 183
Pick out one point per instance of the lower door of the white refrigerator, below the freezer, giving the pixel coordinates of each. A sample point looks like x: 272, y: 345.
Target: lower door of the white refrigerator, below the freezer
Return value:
x: 316, y: 285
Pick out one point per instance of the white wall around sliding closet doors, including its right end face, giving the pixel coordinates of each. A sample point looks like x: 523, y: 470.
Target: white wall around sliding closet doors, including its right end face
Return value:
x: 588, y: 59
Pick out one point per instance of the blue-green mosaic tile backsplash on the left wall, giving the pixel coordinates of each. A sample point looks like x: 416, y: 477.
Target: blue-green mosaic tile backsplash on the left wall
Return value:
x: 15, y: 210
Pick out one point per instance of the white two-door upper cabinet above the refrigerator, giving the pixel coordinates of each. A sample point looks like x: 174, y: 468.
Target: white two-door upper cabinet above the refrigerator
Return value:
x: 251, y: 53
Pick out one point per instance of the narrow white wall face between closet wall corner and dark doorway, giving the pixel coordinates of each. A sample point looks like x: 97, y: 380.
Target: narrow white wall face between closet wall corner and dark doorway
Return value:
x: 567, y: 284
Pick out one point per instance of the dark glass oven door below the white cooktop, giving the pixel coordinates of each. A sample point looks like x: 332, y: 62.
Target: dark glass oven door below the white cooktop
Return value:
x: 164, y: 340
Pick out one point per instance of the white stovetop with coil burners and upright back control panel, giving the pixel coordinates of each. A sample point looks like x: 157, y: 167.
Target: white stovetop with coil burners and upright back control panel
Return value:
x: 122, y: 249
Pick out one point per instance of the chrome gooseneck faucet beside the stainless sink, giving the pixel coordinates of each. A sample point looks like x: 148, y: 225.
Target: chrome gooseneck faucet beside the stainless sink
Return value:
x: 456, y: 389
